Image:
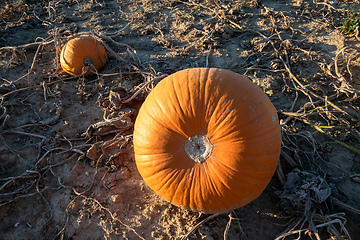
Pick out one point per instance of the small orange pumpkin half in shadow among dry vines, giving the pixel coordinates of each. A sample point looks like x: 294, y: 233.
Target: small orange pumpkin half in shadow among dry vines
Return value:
x: 77, y: 51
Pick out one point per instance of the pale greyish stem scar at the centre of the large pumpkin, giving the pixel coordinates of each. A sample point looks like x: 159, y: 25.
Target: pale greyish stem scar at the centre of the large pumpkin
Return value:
x: 198, y: 148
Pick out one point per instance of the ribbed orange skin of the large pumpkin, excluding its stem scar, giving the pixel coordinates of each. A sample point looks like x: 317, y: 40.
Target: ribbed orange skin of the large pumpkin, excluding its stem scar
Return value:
x: 236, y: 116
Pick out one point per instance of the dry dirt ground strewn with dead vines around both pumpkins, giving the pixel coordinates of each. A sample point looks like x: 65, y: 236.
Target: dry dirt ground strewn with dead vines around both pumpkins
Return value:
x: 66, y: 159
